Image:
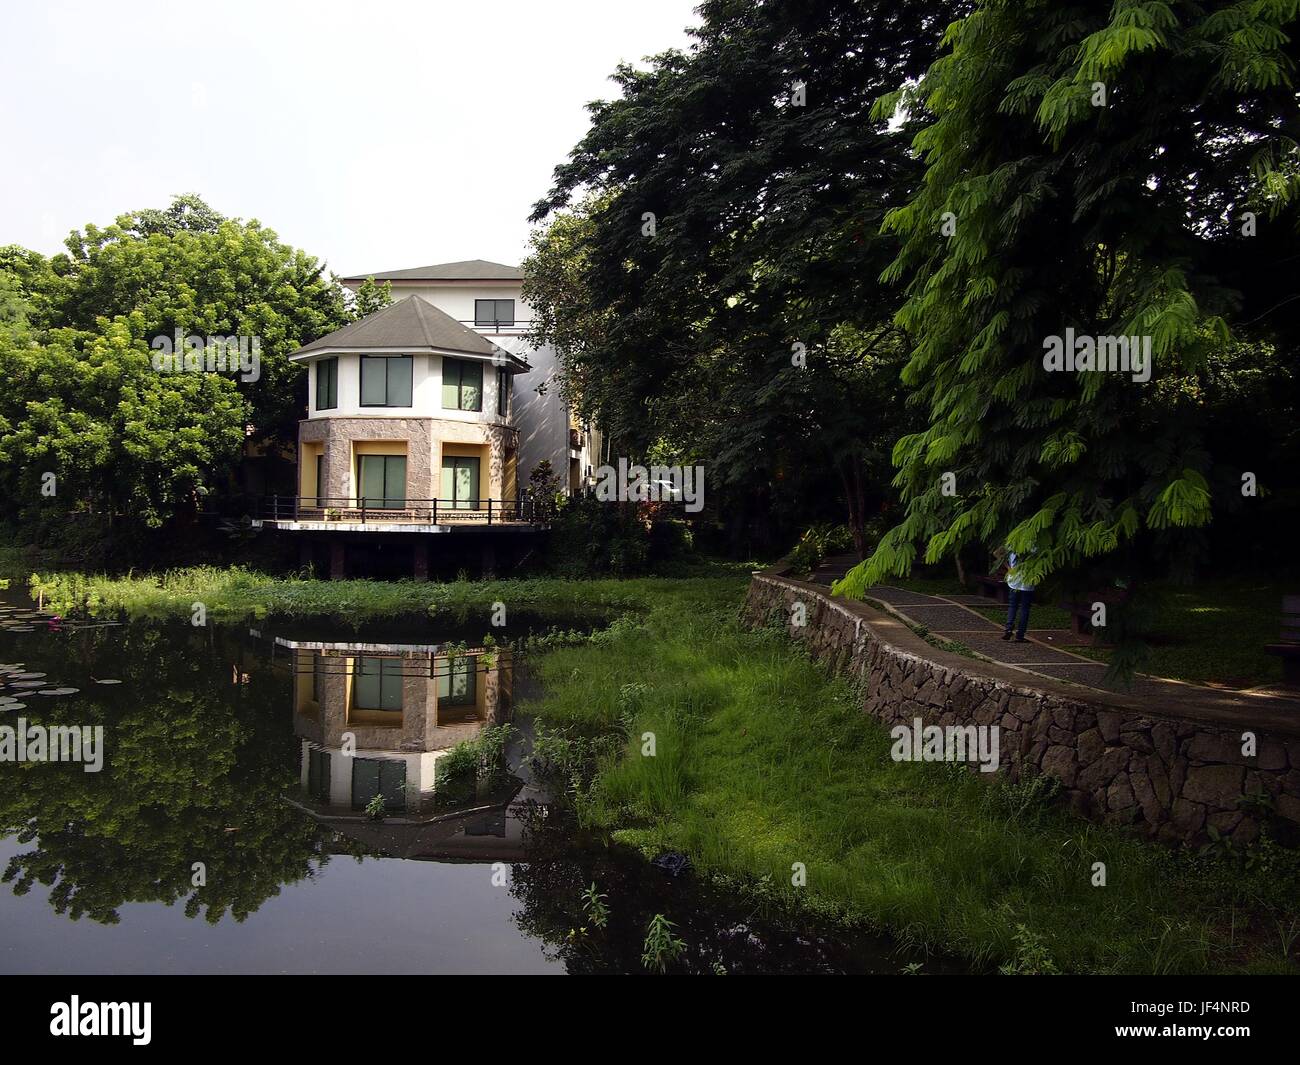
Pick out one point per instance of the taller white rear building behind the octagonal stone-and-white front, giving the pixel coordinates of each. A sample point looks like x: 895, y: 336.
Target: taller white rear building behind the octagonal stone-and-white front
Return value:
x: 488, y: 298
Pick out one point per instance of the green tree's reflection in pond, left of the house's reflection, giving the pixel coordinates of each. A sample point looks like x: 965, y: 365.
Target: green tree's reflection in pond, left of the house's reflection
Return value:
x: 194, y: 772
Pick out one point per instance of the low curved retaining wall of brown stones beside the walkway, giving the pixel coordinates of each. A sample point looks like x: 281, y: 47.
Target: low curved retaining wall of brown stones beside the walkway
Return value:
x: 1119, y: 760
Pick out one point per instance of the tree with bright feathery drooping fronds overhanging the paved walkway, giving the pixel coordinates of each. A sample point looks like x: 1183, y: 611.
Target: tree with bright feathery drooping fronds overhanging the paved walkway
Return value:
x: 1121, y: 170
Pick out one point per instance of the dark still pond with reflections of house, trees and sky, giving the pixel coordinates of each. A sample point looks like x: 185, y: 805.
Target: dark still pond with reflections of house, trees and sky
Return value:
x: 231, y: 825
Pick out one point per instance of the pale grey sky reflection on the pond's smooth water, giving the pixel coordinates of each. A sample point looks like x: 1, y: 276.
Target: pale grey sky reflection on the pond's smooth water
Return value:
x: 352, y: 919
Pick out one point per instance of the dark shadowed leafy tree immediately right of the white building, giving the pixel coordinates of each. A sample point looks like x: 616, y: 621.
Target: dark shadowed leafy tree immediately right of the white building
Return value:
x: 768, y: 180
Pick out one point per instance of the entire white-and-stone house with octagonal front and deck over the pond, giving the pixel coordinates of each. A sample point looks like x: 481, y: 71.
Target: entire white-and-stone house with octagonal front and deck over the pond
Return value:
x: 418, y: 427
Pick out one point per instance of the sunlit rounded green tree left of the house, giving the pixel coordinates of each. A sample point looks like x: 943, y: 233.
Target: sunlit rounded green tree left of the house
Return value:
x: 129, y: 445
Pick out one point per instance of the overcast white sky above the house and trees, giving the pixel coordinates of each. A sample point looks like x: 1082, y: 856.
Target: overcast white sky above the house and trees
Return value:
x: 375, y: 136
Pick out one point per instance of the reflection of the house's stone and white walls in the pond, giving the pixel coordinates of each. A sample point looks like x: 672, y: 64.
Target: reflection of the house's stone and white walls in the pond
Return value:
x: 378, y: 718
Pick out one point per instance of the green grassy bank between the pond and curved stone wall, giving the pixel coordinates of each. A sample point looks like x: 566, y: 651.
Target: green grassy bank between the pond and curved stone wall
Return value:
x: 764, y: 761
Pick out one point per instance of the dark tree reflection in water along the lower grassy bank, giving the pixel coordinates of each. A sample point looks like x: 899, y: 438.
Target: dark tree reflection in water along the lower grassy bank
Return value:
x: 743, y: 933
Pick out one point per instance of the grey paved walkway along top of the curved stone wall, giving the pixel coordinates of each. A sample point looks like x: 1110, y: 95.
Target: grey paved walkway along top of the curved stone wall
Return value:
x: 1047, y: 652
